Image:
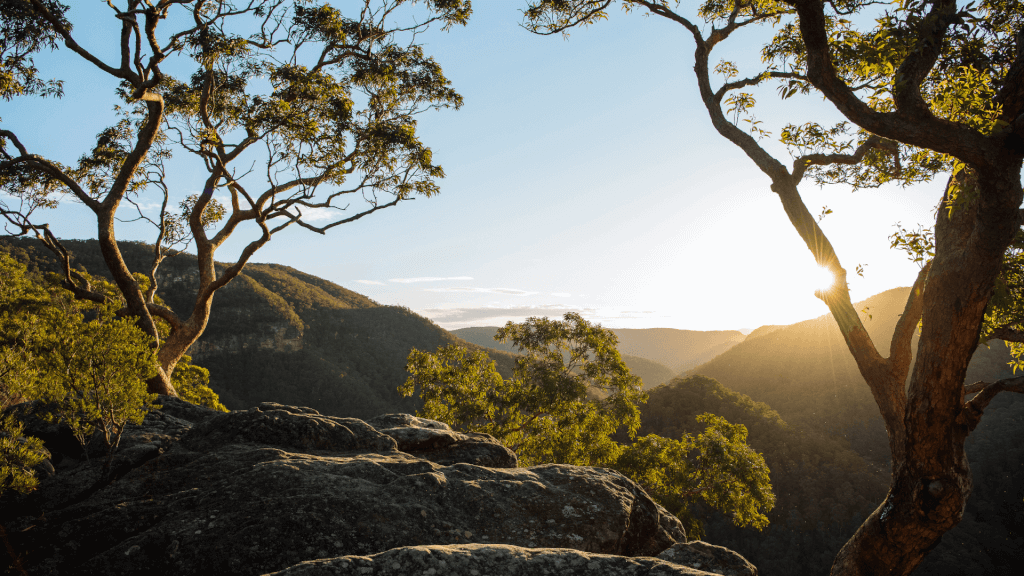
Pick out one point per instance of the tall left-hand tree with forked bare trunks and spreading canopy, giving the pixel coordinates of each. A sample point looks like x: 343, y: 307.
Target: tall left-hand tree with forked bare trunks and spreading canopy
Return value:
x: 324, y: 104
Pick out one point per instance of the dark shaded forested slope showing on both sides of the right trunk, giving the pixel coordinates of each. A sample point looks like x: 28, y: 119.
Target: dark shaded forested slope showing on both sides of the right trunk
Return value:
x: 825, y: 489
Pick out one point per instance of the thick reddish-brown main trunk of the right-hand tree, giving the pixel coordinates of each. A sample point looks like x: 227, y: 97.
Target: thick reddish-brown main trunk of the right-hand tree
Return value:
x: 931, y: 477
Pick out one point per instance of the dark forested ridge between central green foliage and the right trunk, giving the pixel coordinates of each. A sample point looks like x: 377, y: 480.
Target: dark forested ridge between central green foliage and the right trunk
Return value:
x: 824, y: 489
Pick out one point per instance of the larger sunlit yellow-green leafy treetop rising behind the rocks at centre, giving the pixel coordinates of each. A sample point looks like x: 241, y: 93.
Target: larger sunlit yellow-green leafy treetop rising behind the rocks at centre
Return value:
x: 567, y: 397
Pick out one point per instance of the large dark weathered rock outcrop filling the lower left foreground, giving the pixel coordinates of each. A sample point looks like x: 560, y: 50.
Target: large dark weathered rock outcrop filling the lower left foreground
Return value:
x: 193, y: 491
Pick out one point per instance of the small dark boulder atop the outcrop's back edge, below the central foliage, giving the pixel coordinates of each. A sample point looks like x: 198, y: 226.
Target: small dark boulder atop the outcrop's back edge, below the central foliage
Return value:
x: 439, y: 443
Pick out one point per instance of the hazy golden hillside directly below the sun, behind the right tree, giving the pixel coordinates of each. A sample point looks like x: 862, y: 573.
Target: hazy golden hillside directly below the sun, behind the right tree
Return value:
x: 806, y: 374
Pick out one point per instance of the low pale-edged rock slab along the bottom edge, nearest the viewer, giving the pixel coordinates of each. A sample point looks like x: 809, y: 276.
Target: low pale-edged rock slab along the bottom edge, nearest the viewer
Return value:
x: 494, y: 560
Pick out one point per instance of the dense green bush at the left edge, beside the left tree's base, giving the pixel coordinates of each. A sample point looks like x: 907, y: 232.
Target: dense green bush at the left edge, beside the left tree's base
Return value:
x: 87, y: 365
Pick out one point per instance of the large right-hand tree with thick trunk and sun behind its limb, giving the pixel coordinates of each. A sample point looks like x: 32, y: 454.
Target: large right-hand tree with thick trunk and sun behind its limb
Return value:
x: 932, y: 88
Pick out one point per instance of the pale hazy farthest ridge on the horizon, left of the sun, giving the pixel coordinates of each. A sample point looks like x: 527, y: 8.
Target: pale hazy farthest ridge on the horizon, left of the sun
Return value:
x: 679, y: 350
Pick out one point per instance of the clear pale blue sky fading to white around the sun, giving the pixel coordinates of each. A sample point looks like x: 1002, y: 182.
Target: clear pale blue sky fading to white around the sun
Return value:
x: 582, y: 175
